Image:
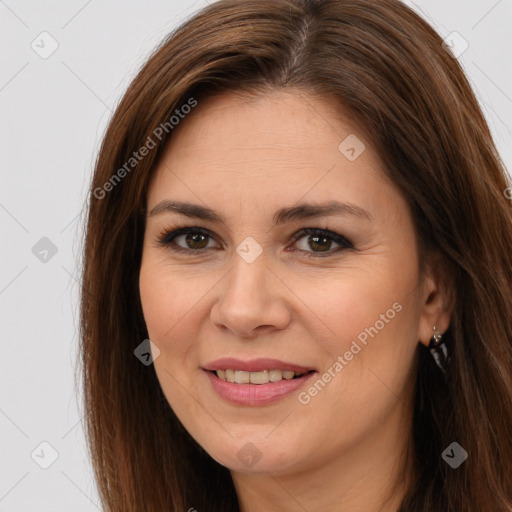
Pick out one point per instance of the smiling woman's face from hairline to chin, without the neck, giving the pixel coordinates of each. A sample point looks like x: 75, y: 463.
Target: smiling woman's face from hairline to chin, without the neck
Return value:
x: 262, y: 280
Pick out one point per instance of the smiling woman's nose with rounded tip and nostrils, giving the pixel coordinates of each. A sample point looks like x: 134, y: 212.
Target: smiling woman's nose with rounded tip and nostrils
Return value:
x: 252, y: 300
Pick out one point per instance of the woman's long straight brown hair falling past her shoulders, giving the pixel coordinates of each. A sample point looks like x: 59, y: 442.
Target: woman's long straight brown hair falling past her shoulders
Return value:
x: 385, y: 66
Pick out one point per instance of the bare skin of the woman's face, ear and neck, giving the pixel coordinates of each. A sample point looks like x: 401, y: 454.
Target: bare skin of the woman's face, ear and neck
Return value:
x: 246, y: 157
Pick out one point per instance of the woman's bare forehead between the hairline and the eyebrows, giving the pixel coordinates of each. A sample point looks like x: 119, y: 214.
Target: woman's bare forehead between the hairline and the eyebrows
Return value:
x: 277, y: 148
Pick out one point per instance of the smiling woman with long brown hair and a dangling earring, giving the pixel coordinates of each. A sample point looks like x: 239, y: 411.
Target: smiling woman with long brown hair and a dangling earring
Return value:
x: 300, y: 204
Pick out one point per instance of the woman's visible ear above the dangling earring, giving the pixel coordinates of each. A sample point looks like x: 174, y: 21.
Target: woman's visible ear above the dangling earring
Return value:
x: 437, y: 298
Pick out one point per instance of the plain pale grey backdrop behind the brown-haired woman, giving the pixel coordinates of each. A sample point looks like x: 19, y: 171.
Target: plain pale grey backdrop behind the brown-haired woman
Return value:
x: 53, y: 114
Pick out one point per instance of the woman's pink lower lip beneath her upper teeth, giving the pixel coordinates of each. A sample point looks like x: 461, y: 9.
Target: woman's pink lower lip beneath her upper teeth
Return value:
x: 256, y: 394
